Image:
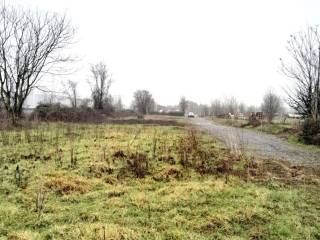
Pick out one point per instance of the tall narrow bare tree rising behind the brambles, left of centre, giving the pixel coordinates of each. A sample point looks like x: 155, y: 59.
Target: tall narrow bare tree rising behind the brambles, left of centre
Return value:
x: 100, y: 85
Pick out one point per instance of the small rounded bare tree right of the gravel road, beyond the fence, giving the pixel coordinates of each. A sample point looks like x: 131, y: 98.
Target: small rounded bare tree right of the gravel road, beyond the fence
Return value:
x: 271, y: 105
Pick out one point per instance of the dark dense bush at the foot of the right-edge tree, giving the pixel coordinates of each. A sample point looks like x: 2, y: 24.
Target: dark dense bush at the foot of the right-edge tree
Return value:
x: 310, y: 132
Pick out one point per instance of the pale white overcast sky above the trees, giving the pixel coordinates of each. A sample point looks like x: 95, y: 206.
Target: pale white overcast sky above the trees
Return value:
x: 200, y: 49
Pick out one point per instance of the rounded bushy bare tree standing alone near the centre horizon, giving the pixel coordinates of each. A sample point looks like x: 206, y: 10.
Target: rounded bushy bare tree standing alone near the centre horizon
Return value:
x: 143, y: 101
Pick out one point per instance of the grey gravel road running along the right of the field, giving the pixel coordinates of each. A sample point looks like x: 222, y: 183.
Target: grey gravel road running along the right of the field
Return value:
x: 261, y: 144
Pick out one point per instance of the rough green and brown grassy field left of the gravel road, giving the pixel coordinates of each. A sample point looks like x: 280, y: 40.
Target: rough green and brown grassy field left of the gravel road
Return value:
x: 70, y: 181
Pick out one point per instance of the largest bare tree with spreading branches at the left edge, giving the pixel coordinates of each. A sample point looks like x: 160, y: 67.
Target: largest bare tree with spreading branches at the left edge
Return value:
x: 30, y: 46
